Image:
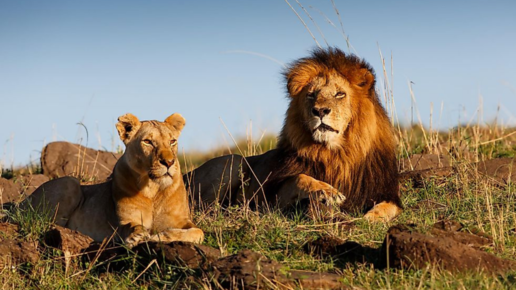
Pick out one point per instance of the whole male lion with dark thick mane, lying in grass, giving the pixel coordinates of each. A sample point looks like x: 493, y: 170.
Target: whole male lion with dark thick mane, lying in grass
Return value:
x: 336, y: 145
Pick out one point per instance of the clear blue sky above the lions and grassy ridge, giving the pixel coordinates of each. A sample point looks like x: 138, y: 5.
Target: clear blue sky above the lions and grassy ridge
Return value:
x: 69, y: 62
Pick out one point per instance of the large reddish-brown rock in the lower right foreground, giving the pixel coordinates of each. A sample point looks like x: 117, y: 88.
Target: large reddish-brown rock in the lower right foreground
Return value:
x: 409, y: 249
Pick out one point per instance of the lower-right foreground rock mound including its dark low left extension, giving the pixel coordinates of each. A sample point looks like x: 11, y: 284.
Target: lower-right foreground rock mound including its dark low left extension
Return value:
x: 448, y: 247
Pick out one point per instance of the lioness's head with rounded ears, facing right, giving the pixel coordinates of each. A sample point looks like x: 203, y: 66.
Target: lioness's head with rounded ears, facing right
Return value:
x: 151, y: 146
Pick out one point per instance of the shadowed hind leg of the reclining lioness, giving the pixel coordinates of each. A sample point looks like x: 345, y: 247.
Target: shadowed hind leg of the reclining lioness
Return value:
x: 58, y: 198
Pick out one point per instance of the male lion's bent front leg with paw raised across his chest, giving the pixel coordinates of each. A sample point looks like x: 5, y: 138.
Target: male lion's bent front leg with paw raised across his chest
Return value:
x: 303, y: 186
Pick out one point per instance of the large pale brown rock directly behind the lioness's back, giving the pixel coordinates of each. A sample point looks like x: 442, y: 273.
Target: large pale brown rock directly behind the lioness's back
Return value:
x: 60, y: 159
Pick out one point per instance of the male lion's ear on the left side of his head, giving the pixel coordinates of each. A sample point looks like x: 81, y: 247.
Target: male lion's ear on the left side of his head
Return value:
x: 298, y: 76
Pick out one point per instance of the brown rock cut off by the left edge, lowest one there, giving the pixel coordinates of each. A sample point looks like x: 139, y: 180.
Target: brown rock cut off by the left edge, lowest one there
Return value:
x: 14, y: 253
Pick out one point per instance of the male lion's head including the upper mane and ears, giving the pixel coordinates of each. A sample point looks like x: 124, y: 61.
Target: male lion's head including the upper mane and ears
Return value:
x: 327, y: 91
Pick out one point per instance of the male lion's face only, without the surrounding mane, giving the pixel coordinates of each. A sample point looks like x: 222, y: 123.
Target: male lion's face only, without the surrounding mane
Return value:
x: 327, y: 101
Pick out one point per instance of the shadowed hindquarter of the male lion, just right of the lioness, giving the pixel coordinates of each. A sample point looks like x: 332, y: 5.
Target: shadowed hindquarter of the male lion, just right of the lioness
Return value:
x: 216, y: 180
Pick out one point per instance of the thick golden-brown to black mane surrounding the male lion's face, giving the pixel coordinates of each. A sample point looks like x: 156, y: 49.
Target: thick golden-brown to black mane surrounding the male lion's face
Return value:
x: 363, y: 166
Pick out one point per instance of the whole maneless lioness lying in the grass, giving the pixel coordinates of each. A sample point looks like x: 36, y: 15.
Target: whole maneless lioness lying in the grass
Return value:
x: 146, y: 198
